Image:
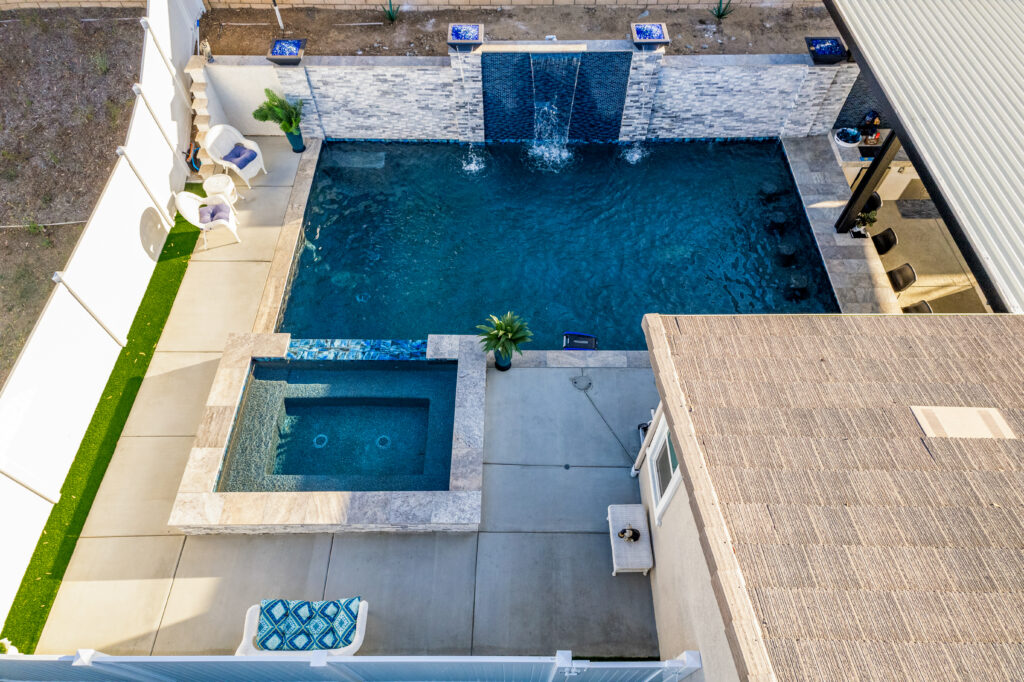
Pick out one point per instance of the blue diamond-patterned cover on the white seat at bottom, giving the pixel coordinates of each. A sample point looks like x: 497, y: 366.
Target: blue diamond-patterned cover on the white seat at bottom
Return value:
x: 305, y: 626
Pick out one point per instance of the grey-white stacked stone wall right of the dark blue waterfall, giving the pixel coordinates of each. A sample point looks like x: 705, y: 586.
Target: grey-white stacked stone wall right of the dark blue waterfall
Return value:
x: 748, y: 97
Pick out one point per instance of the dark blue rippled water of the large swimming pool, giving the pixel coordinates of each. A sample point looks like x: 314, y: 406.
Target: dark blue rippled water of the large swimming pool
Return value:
x: 409, y: 240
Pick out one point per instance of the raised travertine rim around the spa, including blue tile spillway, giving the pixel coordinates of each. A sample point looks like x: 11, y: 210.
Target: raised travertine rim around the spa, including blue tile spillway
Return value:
x: 201, y: 509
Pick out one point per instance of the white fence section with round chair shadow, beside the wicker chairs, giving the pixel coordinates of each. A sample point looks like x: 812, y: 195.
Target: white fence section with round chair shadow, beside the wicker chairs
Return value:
x: 115, y: 258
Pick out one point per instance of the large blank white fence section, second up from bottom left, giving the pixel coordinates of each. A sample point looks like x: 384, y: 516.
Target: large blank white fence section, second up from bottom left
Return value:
x: 52, y: 394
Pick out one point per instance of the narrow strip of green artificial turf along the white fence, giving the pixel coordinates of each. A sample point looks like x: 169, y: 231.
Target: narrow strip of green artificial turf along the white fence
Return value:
x: 42, y: 578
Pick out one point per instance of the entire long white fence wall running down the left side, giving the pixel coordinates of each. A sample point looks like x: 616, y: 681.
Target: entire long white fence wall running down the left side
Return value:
x: 53, y: 391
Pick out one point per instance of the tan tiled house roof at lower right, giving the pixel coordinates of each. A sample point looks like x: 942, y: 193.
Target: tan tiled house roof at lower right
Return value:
x: 844, y: 544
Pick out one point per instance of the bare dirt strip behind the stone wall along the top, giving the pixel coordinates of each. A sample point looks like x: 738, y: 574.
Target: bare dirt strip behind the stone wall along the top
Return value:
x: 747, y: 31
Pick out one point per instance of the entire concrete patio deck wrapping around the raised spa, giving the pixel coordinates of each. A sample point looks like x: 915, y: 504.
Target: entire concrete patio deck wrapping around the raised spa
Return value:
x: 536, y: 579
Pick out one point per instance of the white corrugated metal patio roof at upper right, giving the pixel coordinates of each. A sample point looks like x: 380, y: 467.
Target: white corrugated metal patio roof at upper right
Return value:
x: 954, y: 73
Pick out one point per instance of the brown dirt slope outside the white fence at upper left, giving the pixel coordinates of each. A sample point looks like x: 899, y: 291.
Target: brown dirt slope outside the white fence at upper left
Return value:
x: 67, y: 100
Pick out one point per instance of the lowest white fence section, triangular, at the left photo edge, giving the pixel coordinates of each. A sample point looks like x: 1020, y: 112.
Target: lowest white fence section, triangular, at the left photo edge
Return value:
x: 24, y: 515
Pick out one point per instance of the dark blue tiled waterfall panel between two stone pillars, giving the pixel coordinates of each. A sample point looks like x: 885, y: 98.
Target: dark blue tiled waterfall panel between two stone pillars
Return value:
x: 587, y: 89
